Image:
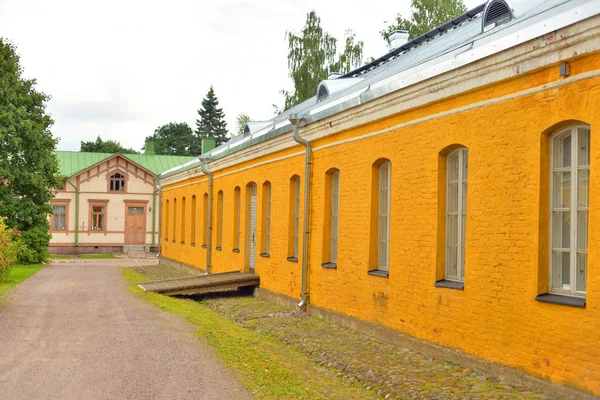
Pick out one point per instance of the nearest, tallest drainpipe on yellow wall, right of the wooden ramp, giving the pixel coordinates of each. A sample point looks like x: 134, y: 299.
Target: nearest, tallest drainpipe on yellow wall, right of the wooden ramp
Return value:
x: 295, y: 120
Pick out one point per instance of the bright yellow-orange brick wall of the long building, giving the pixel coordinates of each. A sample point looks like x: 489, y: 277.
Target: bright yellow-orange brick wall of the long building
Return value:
x: 496, y: 317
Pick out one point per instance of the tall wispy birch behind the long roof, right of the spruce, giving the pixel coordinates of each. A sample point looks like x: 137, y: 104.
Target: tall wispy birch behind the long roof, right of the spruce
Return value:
x: 312, y: 57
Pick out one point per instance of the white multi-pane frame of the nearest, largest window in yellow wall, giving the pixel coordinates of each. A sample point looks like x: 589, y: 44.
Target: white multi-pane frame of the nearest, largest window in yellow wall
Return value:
x: 573, y: 209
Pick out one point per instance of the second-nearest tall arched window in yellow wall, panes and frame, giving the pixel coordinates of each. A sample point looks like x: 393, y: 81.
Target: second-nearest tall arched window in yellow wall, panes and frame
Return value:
x: 456, y: 213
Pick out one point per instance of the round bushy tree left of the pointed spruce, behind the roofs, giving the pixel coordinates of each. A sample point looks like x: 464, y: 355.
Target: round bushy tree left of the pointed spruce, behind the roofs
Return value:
x: 173, y: 139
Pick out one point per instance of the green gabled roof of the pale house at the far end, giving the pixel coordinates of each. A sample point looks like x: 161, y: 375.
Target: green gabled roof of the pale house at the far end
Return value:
x: 73, y: 162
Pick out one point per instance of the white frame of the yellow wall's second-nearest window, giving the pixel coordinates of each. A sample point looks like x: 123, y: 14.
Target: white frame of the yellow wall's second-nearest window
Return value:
x: 461, y: 214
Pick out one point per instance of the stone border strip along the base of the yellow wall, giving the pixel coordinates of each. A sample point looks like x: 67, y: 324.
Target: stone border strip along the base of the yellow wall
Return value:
x: 506, y: 374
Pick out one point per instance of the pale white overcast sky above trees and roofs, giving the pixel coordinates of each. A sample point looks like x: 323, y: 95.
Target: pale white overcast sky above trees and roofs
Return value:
x: 120, y: 69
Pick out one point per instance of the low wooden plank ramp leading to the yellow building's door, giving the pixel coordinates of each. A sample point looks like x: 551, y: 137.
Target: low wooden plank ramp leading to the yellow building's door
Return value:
x: 201, y: 284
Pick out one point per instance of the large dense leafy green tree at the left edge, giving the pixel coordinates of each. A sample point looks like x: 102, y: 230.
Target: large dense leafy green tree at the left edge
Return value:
x: 28, y: 166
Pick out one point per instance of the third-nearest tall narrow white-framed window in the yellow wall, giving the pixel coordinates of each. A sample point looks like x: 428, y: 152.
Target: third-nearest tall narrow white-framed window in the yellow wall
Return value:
x: 383, y: 218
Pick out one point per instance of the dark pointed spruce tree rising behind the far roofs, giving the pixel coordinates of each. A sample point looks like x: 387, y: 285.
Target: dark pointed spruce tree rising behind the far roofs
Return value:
x: 211, y: 124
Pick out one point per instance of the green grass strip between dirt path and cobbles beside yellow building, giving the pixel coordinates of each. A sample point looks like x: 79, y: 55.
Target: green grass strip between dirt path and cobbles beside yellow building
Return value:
x: 268, y: 368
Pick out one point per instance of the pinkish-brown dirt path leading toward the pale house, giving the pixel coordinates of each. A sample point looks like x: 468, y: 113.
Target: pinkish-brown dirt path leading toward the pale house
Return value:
x: 74, y: 332
